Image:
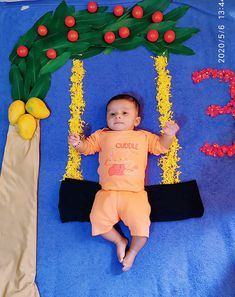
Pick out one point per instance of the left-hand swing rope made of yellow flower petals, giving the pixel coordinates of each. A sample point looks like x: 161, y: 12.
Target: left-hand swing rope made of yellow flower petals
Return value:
x: 75, y: 123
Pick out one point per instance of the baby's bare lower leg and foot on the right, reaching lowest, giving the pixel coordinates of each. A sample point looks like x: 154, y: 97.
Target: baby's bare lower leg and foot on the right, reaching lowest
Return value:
x: 137, y: 244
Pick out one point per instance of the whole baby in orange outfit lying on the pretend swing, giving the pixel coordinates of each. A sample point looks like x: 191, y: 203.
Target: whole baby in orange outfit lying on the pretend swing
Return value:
x: 123, y: 152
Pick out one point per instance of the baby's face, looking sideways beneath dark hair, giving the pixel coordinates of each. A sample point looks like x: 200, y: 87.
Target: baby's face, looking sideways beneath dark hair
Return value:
x: 122, y: 115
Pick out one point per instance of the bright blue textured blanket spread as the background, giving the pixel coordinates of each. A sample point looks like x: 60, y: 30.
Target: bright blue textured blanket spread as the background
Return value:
x: 187, y: 258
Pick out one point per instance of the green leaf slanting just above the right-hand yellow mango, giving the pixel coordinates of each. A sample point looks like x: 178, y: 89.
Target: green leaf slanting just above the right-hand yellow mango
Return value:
x: 41, y: 87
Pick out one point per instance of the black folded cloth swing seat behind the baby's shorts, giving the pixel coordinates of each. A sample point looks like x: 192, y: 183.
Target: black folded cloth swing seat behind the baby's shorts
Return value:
x: 169, y: 202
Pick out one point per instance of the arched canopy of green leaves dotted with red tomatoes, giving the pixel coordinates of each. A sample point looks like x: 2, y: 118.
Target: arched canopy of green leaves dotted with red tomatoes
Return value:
x: 68, y: 34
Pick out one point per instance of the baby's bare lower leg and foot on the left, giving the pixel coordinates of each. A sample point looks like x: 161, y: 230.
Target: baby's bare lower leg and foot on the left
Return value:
x: 121, y: 243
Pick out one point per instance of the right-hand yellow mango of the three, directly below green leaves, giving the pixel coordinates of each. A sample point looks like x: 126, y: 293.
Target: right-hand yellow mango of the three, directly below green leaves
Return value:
x: 37, y: 108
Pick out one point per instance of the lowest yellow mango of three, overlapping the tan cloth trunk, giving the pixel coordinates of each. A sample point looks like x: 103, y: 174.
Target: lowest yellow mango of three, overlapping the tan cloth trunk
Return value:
x: 26, y: 126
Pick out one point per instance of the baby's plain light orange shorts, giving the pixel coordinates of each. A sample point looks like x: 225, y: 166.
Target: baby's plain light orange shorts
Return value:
x: 112, y: 206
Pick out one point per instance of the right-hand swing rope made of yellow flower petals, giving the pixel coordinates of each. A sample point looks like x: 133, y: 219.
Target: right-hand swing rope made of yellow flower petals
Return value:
x: 168, y: 162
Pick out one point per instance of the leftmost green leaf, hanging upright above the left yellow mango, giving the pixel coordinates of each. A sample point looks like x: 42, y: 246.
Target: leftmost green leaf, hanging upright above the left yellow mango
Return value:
x: 16, y: 80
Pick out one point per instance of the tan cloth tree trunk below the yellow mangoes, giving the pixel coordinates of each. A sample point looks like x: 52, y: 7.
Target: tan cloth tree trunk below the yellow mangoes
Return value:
x: 18, y: 215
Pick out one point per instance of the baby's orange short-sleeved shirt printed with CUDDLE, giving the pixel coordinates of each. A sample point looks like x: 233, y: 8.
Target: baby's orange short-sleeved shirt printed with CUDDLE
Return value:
x: 123, y: 157
